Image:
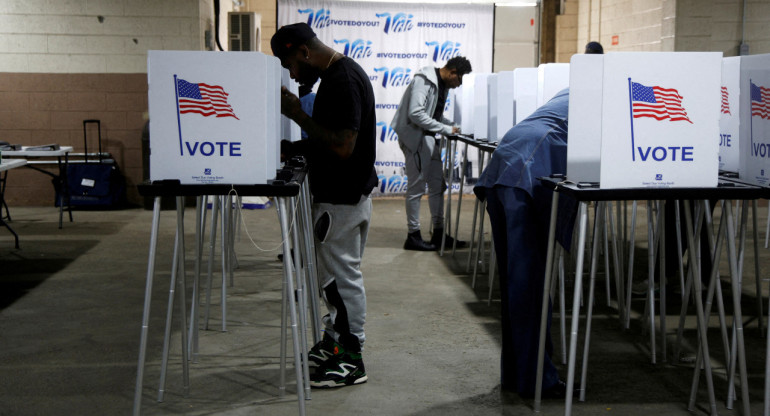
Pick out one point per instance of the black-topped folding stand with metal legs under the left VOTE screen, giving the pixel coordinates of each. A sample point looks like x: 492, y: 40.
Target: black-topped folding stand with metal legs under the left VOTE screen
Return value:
x: 289, y: 185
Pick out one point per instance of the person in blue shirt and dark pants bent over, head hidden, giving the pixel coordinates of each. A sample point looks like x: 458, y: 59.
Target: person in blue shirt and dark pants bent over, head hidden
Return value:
x: 519, y: 209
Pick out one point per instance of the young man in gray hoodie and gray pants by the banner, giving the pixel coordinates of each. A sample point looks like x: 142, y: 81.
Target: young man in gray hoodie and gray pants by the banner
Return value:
x: 417, y: 121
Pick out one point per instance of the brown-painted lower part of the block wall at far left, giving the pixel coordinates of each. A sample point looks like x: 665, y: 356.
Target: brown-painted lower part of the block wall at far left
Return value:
x: 45, y: 108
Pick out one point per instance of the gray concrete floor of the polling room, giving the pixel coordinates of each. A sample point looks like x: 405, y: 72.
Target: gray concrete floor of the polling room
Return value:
x: 71, y: 313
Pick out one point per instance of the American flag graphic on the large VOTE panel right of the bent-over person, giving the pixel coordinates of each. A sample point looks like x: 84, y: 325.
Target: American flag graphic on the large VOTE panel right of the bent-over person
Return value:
x: 657, y: 102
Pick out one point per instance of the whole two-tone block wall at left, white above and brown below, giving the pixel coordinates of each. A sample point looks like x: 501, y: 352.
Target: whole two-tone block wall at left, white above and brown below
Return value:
x: 65, y: 61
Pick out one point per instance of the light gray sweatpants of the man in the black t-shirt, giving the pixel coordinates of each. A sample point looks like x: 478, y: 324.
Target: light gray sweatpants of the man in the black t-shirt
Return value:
x: 340, y: 236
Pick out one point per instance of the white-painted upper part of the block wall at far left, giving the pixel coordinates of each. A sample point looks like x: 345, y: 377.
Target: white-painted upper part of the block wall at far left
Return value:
x: 100, y: 36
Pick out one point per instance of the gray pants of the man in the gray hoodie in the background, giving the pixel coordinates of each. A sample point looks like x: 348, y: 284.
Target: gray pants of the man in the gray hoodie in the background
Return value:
x: 424, y: 167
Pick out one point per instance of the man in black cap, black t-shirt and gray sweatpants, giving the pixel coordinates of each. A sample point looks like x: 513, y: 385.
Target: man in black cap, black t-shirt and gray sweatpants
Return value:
x: 340, y: 151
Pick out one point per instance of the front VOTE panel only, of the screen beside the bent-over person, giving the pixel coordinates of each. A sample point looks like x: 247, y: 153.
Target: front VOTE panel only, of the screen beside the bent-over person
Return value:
x: 660, y: 118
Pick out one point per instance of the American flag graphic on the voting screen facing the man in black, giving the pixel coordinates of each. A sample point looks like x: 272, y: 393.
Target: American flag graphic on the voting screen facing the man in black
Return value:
x: 204, y: 99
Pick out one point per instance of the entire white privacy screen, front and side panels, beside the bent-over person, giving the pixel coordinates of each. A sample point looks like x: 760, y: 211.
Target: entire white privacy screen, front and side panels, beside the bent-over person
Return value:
x: 659, y: 115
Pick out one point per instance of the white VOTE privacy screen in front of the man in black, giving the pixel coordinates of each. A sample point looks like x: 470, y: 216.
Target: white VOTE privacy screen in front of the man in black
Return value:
x: 214, y: 116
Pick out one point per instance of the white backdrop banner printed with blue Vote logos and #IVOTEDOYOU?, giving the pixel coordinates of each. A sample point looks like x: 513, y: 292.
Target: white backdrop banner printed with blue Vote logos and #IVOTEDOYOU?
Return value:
x: 392, y: 42
